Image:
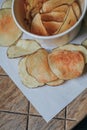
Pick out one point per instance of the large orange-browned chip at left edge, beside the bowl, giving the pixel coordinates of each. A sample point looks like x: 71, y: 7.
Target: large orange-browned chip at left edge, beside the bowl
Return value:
x: 9, y: 32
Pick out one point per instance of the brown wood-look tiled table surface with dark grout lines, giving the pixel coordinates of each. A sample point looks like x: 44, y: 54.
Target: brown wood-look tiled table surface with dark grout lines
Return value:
x: 17, y: 113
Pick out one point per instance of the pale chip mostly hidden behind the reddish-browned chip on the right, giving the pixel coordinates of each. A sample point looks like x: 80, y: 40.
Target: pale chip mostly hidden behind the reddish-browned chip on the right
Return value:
x: 74, y: 47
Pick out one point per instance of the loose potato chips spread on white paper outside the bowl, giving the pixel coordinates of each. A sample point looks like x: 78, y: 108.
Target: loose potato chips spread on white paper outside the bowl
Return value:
x: 37, y: 66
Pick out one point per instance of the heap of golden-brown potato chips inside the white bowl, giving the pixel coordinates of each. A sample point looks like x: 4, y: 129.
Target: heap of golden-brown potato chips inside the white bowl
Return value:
x: 50, y: 17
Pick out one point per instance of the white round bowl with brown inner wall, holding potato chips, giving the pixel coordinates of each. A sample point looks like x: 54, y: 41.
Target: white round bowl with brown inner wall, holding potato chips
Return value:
x: 48, y: 42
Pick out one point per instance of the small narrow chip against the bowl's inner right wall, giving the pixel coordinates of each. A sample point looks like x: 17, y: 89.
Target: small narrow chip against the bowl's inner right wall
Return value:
x: 76, y: 9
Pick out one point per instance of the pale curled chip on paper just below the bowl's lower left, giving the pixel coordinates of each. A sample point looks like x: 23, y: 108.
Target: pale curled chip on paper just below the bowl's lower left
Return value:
x: 22, y: 47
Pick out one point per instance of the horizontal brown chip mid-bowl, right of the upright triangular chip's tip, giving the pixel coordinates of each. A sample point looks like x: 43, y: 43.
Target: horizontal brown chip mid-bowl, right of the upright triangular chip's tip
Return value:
x: 53, y: 16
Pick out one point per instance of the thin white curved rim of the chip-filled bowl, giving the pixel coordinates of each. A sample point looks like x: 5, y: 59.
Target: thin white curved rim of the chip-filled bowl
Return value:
x: 52, y: 36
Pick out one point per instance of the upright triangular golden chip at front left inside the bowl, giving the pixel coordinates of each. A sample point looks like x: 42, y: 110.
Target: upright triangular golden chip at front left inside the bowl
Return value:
x: 37, y: 26
